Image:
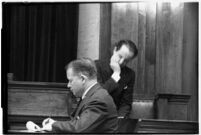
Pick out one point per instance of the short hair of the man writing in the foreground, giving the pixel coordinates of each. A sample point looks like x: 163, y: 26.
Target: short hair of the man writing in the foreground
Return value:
x: 85, y: 66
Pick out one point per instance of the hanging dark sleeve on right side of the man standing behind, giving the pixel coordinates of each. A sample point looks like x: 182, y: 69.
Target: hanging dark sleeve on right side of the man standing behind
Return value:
x: 126, y: 101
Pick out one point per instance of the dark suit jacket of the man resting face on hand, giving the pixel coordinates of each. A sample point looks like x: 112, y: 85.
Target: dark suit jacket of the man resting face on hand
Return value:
x: 122, y: 92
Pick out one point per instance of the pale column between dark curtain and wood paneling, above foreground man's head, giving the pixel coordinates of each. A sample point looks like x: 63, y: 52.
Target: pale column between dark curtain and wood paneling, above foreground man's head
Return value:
x: 88, y: 31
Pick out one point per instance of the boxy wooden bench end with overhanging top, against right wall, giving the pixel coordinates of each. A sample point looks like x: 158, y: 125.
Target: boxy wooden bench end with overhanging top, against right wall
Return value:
x: 172, y: 106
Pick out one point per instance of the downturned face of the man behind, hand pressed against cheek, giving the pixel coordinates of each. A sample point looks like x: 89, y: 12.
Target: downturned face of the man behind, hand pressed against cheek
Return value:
x: 122, y: 56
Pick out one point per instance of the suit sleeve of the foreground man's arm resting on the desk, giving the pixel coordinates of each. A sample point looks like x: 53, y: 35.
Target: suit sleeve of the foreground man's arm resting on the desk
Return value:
x: 90, y: 117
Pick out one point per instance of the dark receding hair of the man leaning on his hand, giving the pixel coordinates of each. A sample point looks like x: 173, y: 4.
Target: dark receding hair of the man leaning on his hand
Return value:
x: 131, y: 46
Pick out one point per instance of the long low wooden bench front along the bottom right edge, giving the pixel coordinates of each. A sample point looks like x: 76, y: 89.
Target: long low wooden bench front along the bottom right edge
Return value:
x: 166, y: 126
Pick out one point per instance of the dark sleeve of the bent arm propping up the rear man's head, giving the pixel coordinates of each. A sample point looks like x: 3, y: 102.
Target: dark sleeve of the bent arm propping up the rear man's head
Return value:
x: 110, y: 85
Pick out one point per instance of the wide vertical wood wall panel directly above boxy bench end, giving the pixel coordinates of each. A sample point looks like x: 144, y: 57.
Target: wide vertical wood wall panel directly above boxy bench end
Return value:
x: 169, y: 48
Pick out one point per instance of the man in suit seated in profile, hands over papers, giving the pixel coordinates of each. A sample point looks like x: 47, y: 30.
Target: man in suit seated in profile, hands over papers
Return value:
x: 96, y: 112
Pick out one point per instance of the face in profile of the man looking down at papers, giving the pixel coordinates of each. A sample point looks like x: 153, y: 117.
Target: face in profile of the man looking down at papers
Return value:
x: 75, y: 83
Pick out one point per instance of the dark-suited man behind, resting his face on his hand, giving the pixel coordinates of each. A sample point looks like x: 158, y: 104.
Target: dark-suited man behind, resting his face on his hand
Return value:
x: 117, y: 78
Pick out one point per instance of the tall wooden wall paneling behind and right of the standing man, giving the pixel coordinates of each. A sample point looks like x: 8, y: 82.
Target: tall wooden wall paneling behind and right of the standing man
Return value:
x: 166, y: 35
